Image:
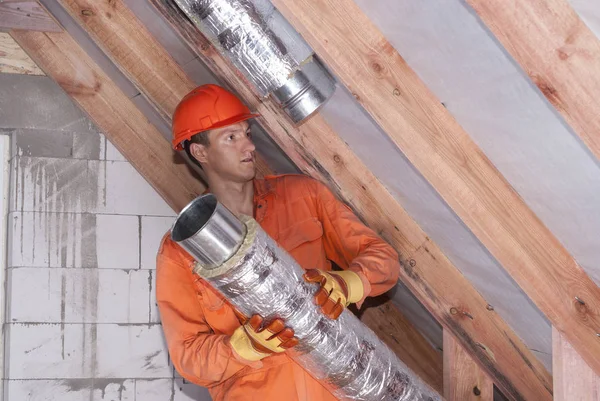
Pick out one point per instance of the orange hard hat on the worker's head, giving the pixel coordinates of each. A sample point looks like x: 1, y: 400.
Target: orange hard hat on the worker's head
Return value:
x: 204, y: 108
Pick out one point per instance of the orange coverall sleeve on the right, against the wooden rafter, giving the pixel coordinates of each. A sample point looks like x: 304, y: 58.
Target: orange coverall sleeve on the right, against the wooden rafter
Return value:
x: 354, y: 246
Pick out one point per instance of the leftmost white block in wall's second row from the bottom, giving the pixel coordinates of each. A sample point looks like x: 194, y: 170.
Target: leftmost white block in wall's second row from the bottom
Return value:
x: 50, y: 351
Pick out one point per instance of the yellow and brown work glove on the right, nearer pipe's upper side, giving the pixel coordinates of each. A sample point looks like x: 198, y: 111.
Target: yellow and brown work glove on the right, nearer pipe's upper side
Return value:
x: 338, y: 290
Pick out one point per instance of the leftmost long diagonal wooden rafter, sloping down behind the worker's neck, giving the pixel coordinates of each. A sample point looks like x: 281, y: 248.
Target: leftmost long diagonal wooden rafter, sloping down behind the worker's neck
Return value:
x: 62, y: 59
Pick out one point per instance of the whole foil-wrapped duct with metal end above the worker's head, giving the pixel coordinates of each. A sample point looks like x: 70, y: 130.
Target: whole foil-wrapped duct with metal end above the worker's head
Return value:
x: 260, y: 42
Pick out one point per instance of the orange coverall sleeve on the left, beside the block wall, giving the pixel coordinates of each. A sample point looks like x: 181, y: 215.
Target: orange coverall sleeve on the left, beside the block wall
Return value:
x: 199, y: 355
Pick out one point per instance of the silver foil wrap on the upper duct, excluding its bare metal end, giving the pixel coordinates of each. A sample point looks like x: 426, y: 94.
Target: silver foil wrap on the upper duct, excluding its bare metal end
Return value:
x: 242, y: 31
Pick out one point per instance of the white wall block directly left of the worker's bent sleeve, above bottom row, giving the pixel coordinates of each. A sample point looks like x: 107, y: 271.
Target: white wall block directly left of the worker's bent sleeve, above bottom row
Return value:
x: 132, y: 351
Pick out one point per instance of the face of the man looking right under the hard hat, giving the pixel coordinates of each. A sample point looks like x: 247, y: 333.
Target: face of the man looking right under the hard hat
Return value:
x: 230, y: 153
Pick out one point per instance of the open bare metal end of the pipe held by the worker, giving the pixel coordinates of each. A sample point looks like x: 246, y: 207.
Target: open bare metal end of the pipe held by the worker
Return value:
x: 206, y: 228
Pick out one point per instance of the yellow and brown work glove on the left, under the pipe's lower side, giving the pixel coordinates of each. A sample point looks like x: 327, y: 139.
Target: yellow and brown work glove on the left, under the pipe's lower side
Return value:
x: 253, y: 342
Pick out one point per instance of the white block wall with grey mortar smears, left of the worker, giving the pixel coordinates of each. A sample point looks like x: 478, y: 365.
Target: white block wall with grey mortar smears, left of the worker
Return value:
x: 83, y: 231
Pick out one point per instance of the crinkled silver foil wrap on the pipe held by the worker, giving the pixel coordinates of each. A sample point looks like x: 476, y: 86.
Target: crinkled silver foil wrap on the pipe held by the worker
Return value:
x: 344, y: 354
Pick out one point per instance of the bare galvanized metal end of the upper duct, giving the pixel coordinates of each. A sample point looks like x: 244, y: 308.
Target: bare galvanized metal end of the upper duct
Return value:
x: 306, y: 91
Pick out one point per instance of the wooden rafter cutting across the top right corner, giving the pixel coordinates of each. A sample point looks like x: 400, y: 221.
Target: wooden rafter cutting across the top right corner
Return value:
x: 558, y: 51
